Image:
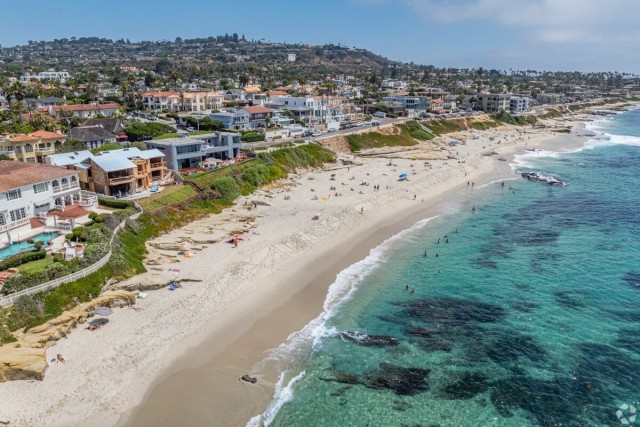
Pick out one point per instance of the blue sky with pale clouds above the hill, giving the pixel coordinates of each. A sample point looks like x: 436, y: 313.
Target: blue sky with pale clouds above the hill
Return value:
x: 553, y: 35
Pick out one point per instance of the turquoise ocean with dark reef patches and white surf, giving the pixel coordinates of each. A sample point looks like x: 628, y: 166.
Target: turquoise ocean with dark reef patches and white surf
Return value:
x: 517, y: 305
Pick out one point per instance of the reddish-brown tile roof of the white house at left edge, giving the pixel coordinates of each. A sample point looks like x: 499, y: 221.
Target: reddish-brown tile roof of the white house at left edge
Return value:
x: 17, y: 174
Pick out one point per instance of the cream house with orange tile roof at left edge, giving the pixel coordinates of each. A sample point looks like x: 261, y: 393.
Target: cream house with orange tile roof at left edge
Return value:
x: 31, y: 148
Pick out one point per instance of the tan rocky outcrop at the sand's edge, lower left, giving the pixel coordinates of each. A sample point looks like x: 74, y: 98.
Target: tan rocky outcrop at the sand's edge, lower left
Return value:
x: 26, y: 358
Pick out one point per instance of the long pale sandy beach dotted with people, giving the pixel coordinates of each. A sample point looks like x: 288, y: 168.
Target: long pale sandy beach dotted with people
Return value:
x: 177, y: 360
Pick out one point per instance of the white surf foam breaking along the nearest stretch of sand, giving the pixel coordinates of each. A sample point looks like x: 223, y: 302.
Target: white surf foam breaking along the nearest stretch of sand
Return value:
x: 300, y: 344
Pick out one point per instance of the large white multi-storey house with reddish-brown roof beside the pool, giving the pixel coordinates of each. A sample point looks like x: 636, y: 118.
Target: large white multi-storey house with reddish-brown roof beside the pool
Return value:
x: 31, y: 189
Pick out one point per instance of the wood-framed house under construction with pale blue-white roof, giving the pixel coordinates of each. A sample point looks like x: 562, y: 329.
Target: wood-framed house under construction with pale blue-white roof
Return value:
x: 115, y: 172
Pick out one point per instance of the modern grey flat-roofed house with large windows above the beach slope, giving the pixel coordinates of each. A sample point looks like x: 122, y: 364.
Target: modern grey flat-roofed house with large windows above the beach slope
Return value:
x: 189, y: 152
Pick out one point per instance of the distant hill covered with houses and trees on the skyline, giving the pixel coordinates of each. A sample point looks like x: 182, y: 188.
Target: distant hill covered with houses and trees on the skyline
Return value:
x: 222, y: 54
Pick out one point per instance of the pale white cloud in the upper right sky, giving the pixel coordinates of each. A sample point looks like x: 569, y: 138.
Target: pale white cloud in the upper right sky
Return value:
x: 557, y: 21
